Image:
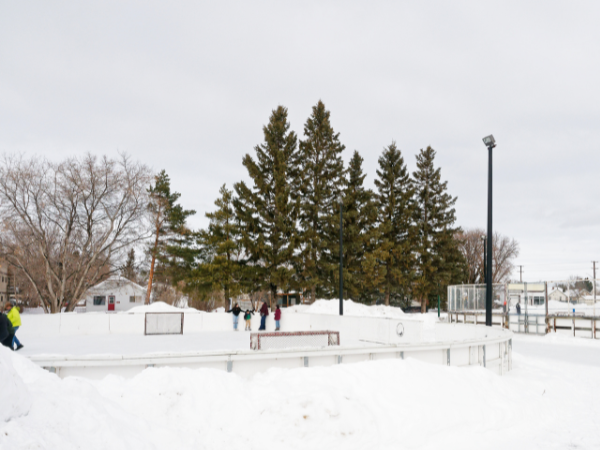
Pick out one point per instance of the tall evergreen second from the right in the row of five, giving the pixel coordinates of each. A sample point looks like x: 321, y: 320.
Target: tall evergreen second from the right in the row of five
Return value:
x: 393, y: 245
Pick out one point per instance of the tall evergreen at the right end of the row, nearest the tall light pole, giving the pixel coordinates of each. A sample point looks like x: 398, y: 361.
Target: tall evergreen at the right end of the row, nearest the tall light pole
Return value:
x: 438, y: 255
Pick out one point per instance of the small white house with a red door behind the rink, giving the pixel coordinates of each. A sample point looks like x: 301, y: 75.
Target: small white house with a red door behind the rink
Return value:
x: 114, y: 294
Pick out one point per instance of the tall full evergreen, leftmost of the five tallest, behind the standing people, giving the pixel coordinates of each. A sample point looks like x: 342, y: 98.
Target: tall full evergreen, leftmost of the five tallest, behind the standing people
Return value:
x: 267, y: 211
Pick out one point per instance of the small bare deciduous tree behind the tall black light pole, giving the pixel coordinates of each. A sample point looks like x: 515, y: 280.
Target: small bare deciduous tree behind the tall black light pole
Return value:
x: 505, y: 250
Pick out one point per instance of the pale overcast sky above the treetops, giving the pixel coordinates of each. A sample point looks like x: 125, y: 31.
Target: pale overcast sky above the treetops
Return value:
x: 187, y: 87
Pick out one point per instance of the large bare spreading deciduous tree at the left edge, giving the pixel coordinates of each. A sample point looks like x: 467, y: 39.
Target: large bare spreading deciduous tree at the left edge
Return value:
x: 63, y: 223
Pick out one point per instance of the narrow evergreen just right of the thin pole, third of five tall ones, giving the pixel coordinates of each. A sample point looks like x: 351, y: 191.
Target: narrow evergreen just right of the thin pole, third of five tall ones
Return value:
x: 360, y: 215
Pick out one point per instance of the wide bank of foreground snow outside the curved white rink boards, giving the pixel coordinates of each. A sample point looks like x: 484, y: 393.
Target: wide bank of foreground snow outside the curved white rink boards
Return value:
x: 383, y: 404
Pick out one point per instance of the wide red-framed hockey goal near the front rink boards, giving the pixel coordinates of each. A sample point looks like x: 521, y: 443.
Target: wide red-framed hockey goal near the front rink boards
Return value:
x: 293, y: 339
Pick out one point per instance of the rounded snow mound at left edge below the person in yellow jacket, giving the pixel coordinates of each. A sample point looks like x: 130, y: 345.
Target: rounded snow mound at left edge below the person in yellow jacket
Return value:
x: 15, y: 399
